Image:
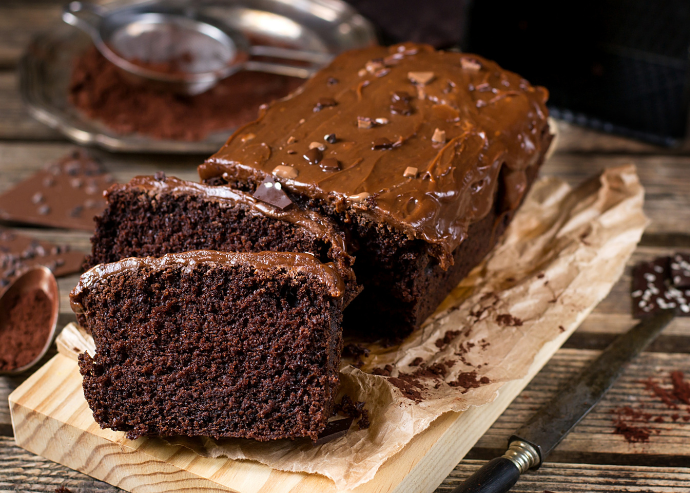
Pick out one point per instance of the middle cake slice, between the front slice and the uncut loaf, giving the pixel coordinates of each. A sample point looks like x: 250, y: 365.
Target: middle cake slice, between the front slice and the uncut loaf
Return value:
x: 152, y: 216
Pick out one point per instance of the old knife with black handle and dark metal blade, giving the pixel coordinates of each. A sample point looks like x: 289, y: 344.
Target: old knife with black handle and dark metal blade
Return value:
x: 531, y: 444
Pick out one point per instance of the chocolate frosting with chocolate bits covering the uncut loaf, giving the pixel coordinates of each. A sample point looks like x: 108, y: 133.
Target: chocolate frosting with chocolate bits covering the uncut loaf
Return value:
x: 421, y: 139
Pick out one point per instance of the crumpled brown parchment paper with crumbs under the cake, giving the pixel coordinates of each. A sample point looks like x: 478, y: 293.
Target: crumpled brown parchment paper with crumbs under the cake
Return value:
x: 560, y: 256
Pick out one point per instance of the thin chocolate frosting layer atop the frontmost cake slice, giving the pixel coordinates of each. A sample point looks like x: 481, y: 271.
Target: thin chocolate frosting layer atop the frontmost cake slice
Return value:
x: 262, y: 261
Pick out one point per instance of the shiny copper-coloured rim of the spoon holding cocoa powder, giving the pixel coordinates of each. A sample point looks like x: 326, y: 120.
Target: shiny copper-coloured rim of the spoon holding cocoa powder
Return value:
x: 37, y: 277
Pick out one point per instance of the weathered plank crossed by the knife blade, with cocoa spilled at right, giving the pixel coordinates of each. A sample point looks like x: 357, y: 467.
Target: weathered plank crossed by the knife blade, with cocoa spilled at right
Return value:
x: 594, y: 436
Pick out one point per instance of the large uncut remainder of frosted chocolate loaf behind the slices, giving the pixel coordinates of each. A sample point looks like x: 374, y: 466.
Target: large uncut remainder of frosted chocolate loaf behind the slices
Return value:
x: 421, y: 156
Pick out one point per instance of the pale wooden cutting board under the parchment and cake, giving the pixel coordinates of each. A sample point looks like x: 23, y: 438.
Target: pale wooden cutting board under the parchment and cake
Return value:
x: 51, y: 418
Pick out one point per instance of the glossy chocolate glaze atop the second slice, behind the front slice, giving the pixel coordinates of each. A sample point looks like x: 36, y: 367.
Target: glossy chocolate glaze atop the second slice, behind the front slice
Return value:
x: 309, y: 220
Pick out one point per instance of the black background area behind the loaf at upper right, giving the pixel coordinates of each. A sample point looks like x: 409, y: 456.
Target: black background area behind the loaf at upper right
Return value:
x: 615, y: 65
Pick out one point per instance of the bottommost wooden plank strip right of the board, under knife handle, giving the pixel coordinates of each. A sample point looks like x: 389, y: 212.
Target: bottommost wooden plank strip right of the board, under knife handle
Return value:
x: 572, y: 478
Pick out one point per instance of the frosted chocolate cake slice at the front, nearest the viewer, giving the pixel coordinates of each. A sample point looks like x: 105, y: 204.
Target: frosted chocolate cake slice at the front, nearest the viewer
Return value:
x: 212, y: 343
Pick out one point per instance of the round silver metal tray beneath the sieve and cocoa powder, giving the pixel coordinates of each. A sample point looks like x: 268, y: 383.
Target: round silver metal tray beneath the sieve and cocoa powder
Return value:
x: 328, y: 26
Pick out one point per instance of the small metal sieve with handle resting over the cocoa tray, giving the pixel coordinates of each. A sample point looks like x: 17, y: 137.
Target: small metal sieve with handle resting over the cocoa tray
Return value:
x: 203, y: 50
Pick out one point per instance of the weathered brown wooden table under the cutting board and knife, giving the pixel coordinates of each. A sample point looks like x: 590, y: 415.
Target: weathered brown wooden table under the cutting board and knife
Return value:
x: 593, y: 458
